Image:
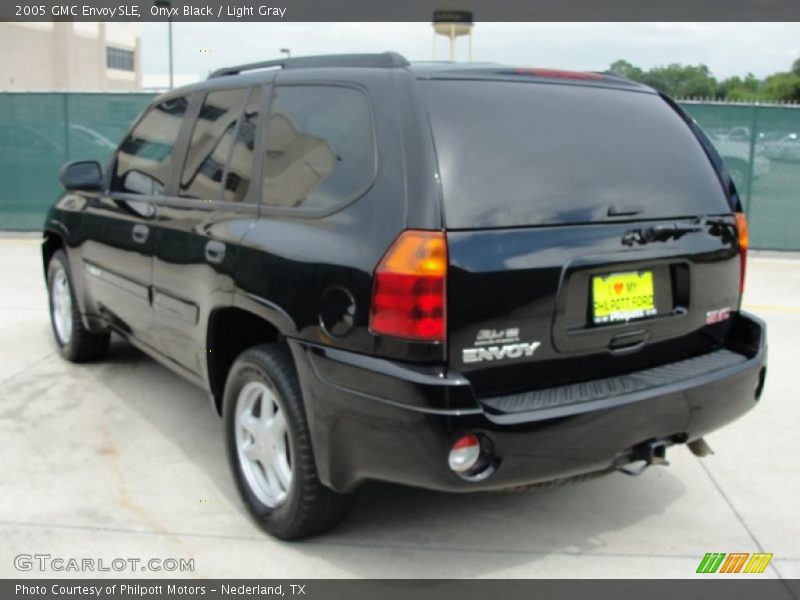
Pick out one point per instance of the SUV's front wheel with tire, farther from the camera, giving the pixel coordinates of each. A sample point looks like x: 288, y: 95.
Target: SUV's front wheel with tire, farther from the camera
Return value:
x: 75, y: 342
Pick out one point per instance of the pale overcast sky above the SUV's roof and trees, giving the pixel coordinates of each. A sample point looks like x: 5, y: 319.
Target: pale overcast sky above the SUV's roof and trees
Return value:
x: 727, y: 48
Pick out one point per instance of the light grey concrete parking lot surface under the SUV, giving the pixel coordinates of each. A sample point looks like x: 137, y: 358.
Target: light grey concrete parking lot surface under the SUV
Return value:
x: 122, y: 459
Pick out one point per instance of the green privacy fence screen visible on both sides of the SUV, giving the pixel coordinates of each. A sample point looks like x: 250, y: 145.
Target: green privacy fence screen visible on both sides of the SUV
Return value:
x: 41, y: 131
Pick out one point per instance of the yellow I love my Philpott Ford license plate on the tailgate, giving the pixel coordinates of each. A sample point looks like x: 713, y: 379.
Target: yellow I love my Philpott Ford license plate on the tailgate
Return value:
x: 623, y: 296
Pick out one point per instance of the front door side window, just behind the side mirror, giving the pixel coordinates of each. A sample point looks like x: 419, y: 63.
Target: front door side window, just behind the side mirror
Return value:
x: 144, y: 158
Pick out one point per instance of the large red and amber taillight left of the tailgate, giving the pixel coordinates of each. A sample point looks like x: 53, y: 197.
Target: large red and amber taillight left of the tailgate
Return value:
x: 408, y: 298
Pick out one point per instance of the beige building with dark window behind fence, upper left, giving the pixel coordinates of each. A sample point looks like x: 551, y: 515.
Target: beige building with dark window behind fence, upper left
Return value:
x: 70, y: 56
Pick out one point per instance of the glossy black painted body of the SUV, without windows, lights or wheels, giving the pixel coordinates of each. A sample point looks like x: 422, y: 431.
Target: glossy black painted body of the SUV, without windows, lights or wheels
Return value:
x: 160, y: 270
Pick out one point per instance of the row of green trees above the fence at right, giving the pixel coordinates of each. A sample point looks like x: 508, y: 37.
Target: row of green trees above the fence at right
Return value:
x: 688, y: 81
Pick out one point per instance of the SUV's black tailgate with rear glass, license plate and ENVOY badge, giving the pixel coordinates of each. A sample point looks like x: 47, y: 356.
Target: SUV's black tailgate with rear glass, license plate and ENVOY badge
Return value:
x: 588, y: 233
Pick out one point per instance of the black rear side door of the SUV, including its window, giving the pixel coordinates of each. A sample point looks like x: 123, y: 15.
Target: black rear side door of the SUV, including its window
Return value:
x: 201, y: 225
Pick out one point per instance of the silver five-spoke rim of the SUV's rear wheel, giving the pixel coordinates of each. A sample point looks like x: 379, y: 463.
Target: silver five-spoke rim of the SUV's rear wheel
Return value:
x: 262, y: 443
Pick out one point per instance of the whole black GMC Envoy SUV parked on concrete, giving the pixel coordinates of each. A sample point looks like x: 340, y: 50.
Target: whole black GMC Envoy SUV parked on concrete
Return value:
x: 458, y: 277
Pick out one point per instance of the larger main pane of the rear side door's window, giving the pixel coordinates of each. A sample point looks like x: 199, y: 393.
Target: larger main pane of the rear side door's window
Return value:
x: 211, y: 144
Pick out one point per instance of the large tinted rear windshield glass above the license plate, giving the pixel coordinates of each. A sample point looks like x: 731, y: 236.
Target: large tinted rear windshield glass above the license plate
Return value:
x: 514, y: 154
